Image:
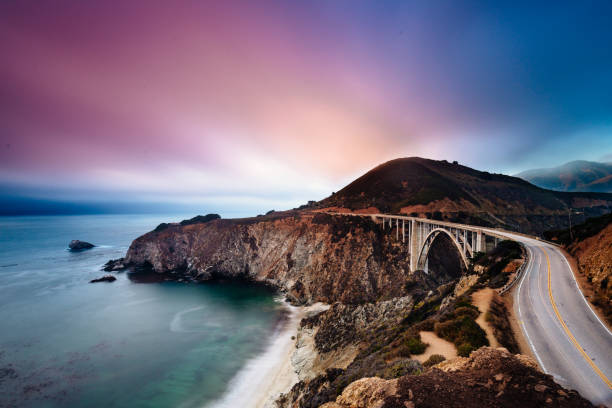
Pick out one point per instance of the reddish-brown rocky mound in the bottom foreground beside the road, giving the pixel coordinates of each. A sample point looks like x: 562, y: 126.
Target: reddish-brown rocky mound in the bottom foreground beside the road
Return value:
x: 488, y: 378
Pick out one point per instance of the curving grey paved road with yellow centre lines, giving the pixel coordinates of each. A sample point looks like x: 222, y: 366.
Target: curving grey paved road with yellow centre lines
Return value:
x: 567, y: 338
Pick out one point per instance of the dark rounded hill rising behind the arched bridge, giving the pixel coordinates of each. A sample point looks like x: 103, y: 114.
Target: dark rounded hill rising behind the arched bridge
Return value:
x: 450, y: 191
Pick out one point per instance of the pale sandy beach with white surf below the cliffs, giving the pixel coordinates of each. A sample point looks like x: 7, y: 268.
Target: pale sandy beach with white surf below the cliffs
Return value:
x: 261, y: 381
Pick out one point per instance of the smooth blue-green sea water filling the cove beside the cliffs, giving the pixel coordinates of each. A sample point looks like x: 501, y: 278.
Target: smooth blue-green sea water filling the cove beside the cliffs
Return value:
x: 66, y: 342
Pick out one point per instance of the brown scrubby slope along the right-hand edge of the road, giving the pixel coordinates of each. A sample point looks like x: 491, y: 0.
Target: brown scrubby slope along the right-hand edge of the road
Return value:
x: 590, y: 243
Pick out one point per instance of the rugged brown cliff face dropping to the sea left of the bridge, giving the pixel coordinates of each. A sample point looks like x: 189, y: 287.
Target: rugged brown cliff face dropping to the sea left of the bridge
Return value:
x: 310, y: 257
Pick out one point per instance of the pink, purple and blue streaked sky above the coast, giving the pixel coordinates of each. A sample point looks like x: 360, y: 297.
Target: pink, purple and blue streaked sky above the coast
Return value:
x: 252, y: 105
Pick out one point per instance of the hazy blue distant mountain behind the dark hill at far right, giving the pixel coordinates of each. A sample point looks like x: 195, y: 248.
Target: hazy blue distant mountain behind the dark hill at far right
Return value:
x: 579, y: 175
